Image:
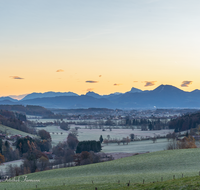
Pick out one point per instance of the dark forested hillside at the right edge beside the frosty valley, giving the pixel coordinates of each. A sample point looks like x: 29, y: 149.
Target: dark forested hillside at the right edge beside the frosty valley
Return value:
x: 185, y: 122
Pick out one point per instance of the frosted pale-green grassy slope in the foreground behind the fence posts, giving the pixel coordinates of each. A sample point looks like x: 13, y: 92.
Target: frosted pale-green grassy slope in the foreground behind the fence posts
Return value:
x: 150, y: 167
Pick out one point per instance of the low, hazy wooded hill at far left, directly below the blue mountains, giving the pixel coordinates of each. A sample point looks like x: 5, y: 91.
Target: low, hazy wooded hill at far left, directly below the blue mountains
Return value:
x: 28, y: 110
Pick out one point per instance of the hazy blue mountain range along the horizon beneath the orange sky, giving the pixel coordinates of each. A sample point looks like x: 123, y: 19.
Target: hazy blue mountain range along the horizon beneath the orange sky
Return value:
x: 164, y: 96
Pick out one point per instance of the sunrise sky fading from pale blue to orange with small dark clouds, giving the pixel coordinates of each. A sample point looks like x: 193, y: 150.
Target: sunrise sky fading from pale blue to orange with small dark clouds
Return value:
x: 98, y: 45
